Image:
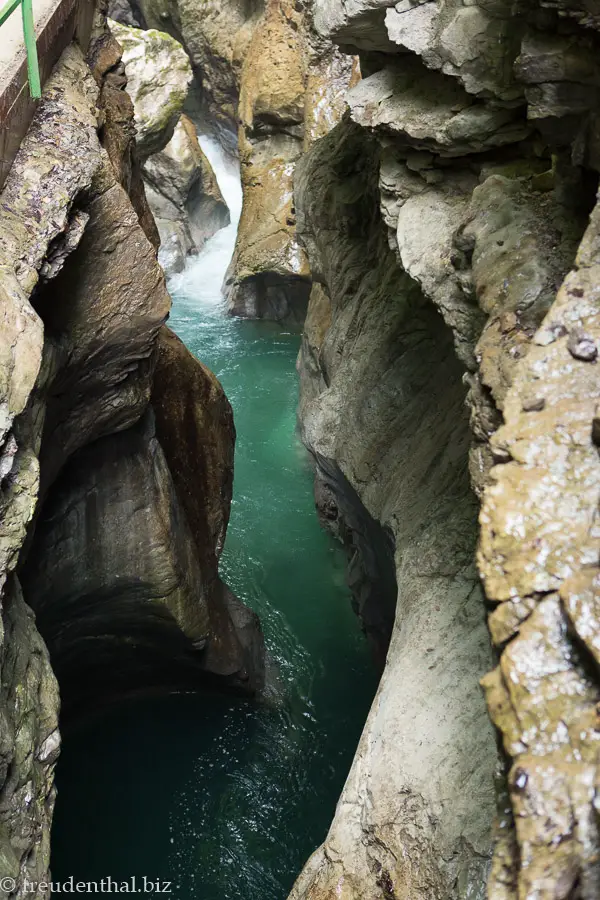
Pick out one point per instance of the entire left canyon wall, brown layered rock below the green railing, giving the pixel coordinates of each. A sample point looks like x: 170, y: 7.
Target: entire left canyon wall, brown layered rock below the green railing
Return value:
x: 116, y: 453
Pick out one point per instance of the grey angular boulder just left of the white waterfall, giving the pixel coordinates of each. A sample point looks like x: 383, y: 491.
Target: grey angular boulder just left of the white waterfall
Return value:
x: 184, y: 196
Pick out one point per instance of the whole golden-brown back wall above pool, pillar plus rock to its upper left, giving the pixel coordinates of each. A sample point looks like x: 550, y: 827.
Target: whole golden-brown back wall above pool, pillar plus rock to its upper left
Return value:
x: 268, y: 86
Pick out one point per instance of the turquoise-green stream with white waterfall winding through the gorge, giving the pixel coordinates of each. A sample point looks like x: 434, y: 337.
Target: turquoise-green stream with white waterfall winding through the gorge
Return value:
x: 224, y: 798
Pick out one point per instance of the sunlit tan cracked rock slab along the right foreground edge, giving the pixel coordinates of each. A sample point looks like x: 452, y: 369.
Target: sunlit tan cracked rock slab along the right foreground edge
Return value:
x: 538, y: 557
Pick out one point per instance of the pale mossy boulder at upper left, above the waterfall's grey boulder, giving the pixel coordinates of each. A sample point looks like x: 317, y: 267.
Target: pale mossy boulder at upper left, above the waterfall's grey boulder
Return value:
x: 158, y: 77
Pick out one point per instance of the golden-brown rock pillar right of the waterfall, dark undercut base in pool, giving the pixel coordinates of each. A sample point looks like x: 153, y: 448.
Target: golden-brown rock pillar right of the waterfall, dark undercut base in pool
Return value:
x: 292, y: 89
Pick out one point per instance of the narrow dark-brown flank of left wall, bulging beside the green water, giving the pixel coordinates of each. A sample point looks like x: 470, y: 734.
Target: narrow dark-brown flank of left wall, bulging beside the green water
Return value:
x: 194, y: 423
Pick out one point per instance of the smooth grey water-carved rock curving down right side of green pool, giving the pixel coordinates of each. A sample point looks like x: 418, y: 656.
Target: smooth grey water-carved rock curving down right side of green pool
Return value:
x: 382, y: 410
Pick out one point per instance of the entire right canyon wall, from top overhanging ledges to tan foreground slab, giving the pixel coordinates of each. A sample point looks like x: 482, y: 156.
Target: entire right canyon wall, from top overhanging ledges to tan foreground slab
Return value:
x: 440, y: 220
